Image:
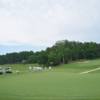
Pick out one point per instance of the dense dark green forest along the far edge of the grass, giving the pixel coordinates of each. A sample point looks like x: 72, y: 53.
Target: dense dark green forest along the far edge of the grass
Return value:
x: 60, y: 53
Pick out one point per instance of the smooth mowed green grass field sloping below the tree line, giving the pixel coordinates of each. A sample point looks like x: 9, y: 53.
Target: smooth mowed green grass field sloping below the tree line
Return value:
x: 61, y: 83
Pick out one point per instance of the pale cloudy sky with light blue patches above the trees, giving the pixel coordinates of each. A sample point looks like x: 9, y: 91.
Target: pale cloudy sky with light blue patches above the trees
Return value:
x: 38, y: 24
